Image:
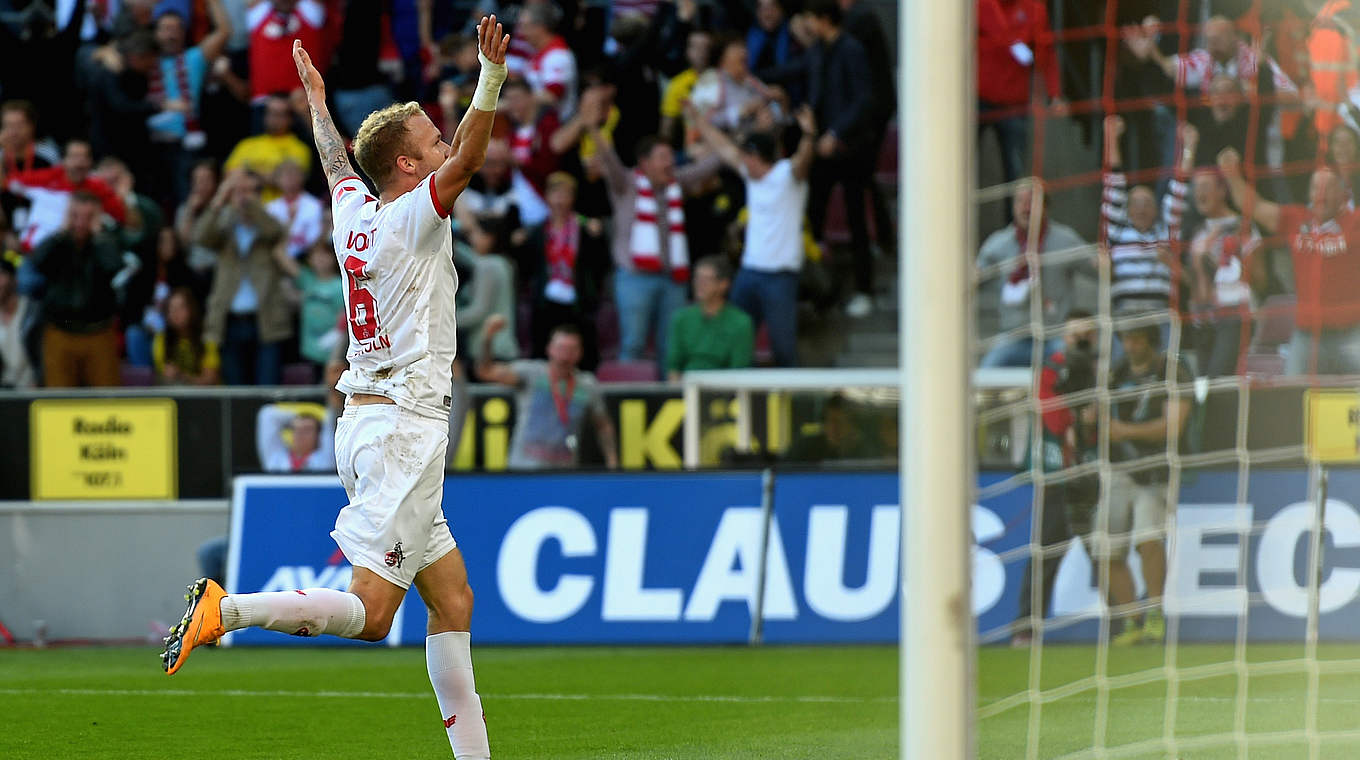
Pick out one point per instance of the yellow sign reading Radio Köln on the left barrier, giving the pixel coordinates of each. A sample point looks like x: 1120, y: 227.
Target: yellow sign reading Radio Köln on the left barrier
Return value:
x: 104, y: 449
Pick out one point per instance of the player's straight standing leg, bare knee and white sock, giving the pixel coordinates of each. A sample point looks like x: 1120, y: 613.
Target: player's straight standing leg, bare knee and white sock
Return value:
x: 444, y: 587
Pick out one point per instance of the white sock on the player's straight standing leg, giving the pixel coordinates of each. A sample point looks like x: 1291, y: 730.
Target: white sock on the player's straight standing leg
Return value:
x: 449, y: 663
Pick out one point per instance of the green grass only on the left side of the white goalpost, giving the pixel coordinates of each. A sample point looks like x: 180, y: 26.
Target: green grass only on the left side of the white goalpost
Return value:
x: 372, y: 704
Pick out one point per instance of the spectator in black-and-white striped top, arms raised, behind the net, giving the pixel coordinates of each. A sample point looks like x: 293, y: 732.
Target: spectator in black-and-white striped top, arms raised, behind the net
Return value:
x: 1144, y: 271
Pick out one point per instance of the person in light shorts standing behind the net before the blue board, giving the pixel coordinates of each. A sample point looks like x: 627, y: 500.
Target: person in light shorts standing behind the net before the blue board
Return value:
x: 1136, y: 506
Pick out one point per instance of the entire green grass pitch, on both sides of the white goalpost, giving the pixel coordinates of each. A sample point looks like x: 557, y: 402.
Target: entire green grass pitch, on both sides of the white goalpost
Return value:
x: 639, y: 704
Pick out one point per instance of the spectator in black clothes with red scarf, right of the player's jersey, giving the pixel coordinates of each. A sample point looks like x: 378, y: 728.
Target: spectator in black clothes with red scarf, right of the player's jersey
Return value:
x: 571, y: 260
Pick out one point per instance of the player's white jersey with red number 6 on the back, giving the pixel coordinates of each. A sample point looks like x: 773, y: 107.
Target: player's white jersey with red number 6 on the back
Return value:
x: 398, y: 264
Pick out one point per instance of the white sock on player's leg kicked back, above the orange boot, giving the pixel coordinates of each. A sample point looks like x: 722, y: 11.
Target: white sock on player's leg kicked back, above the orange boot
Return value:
x: 303, y: 614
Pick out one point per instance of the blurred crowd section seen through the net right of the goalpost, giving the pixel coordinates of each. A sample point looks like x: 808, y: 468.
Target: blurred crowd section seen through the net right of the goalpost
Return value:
x: 1230, y: 138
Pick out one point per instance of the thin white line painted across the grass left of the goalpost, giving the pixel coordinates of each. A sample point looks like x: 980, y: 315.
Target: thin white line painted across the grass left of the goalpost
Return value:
x: 428, y: 695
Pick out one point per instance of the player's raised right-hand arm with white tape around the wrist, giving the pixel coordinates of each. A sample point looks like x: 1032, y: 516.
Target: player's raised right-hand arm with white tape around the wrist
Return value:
x: 469, y: 148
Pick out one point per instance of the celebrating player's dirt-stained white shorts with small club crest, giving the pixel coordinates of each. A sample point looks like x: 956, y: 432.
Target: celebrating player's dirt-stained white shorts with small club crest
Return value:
x: 391, y: 463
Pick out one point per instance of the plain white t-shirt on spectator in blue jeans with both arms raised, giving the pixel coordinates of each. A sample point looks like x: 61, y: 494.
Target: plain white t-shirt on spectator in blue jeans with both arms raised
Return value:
x: 775, y: 224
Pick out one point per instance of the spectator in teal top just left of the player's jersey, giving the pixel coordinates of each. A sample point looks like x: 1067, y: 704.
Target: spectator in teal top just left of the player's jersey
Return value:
x: 323, y: 300
